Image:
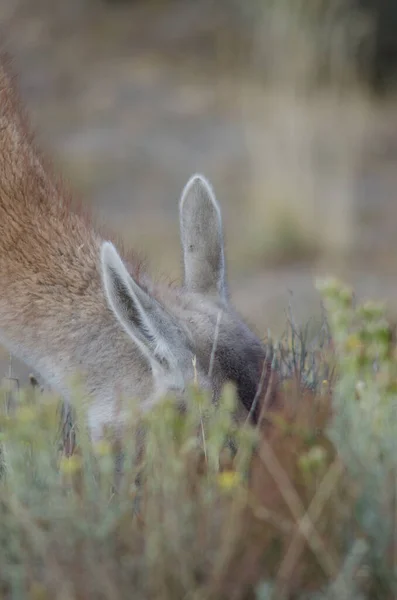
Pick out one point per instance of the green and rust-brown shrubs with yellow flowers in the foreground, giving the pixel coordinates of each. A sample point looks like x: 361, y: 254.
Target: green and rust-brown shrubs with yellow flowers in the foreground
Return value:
x: 304, y: 509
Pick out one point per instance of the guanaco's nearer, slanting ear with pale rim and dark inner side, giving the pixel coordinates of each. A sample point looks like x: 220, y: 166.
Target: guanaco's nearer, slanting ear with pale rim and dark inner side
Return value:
x: 141, y: 316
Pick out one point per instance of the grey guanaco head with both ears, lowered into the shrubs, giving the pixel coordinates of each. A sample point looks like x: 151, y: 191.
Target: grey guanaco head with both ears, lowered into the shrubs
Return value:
x: 193, y: 331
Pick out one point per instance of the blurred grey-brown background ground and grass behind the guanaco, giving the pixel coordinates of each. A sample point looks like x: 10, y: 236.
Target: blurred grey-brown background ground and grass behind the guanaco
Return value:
x: 289, y: 107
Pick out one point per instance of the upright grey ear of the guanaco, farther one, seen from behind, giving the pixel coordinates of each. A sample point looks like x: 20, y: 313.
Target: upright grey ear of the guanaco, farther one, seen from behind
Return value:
x: 202, y: 239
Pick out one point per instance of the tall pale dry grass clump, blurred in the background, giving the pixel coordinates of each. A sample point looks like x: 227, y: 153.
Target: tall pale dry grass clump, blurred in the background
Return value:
x: 307, y: 118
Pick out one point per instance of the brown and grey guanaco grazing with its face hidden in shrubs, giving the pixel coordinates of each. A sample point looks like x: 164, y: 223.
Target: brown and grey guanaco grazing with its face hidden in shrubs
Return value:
x: 72, y: 304
